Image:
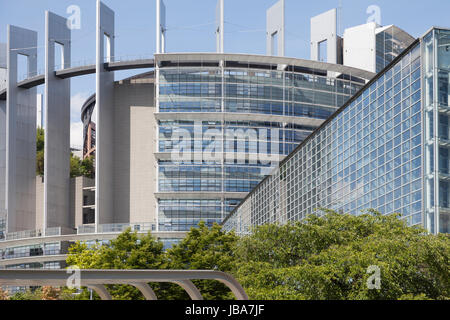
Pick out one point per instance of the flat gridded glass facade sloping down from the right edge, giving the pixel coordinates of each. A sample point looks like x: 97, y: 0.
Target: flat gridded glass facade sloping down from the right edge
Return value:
x: 386, y: 149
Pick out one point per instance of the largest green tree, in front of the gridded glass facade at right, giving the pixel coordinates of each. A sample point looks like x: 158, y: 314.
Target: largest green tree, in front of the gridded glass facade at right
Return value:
x: 328, y: 258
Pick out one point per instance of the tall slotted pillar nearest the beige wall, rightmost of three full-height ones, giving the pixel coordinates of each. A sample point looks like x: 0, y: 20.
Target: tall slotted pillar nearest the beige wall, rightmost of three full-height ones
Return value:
x: 104, y: 161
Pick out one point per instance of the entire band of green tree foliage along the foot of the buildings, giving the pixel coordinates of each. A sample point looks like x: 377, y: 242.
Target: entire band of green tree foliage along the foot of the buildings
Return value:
x: 327, y: 257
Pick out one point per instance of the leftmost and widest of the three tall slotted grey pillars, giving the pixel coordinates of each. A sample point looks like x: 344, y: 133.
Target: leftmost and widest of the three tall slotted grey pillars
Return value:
x: 20, y: 133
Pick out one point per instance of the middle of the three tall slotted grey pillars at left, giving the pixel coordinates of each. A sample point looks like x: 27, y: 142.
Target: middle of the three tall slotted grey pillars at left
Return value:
x: 57, y: 126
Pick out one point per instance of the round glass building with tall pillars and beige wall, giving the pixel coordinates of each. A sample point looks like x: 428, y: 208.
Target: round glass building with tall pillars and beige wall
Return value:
x: 184, y: 141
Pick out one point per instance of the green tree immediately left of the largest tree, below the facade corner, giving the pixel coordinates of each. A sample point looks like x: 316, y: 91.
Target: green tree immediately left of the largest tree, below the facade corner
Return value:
x: 205, y: 248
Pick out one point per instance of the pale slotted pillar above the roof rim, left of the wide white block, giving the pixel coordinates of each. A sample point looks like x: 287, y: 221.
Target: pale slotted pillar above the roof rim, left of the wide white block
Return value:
x: 275, y: 29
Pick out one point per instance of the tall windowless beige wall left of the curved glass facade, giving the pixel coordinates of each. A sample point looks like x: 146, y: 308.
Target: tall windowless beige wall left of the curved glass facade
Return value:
x: 135, y: 165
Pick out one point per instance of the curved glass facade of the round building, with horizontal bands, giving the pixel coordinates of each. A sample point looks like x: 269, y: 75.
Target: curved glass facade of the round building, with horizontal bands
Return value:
x: 267, y: 112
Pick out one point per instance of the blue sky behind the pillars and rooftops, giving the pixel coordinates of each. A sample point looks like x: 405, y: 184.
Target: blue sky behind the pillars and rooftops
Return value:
x: 190, y: 26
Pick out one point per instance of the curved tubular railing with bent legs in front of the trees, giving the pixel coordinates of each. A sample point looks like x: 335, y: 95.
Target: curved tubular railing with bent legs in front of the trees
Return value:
x: 97, y: 279
